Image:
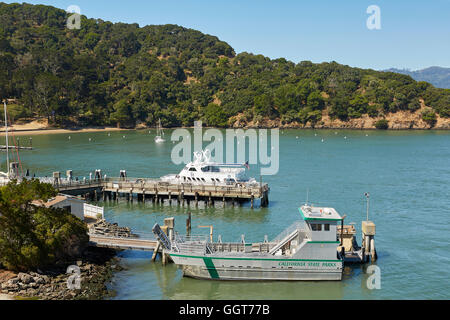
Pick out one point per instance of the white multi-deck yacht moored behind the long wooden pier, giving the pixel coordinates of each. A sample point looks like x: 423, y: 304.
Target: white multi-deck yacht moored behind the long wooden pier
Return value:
x: 204, y: 171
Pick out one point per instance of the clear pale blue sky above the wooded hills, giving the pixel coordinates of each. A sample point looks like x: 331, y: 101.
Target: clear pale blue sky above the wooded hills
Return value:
x: 414, y: 34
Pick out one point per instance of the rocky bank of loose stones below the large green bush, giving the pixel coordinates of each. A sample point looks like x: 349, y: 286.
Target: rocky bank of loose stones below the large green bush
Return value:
x: 96, y: 269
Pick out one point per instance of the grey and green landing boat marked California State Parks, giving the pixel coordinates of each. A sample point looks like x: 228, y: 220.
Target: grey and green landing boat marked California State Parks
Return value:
x: 307, y: 250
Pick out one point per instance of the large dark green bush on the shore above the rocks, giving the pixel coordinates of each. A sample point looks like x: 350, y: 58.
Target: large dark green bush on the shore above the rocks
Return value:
x: 31, y: 236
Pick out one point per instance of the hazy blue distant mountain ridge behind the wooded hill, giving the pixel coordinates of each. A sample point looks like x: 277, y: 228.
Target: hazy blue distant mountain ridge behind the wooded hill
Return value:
x: 437, y: 76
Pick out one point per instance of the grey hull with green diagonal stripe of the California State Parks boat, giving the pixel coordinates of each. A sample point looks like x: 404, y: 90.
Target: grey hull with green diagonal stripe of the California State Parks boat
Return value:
x: 261, y: 269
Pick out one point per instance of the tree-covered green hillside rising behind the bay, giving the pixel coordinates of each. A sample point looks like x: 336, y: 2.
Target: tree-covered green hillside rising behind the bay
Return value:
x: 123, y: 74
